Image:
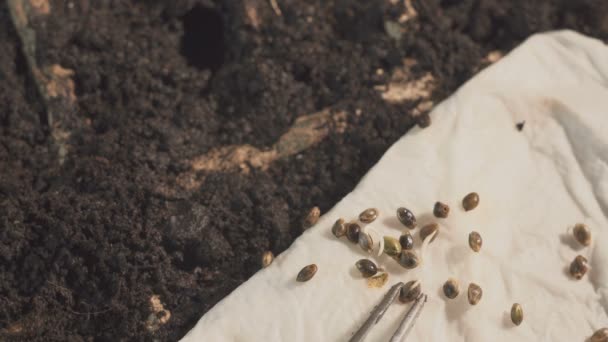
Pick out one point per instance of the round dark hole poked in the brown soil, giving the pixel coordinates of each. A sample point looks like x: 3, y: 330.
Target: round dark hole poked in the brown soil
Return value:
x: 203, y: 41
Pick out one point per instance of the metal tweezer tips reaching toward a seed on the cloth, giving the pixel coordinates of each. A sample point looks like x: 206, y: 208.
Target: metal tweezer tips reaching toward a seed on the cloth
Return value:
x: 406, y: 323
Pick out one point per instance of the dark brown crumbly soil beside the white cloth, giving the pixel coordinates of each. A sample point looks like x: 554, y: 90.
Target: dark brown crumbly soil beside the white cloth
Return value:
x: 85, y: 245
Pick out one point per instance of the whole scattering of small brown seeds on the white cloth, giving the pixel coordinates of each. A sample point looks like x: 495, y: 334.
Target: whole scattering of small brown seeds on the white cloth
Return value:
x: 401, y: 250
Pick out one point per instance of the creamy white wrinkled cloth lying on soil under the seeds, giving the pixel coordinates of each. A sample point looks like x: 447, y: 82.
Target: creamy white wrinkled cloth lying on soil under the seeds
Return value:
x: 533, y: 186
